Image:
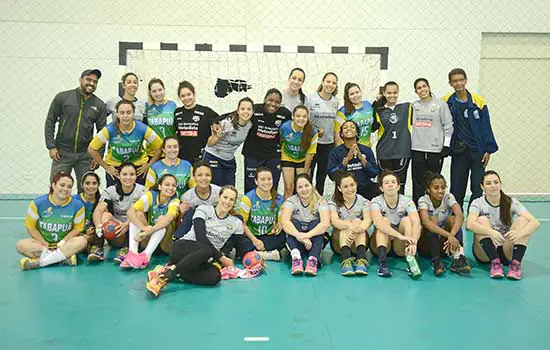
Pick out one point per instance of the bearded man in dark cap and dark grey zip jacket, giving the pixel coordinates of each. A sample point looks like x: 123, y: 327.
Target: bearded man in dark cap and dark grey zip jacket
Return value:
x: 76, y: 111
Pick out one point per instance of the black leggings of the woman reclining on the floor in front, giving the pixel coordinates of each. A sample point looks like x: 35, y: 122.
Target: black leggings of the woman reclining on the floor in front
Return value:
x: 192, y: 262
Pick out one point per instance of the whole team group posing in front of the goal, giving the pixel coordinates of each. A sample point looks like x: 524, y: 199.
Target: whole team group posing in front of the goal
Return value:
x: 170, y: 177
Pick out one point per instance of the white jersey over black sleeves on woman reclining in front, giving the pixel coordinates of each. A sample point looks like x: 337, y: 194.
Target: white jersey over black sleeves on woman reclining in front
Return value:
x: 218, y: 230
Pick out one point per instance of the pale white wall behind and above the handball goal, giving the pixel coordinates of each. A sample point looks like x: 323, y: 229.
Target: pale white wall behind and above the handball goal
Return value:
x: 46, y: 44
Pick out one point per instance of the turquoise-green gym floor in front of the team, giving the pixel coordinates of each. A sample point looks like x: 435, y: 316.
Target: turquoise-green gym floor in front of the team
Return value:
x: 101, y: 307
